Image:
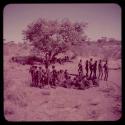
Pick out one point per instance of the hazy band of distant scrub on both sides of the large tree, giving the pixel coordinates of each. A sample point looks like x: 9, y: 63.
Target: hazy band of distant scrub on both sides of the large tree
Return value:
x: 111, y: 50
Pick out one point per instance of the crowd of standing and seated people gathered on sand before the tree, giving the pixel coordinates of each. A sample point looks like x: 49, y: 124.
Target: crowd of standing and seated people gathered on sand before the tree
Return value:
x: 41, y: 77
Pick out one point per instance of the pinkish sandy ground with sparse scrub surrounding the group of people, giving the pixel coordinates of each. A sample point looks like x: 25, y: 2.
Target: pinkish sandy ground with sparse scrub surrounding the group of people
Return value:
x: 24, y: 103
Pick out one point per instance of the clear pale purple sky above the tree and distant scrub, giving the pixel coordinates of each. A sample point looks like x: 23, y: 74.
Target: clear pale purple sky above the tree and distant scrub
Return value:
x: 104, y: 20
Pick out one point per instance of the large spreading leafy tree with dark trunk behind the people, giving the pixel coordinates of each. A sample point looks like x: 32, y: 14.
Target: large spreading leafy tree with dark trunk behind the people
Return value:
x: 50, y: 37
